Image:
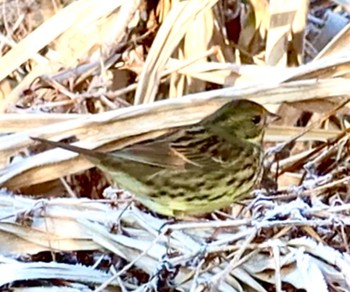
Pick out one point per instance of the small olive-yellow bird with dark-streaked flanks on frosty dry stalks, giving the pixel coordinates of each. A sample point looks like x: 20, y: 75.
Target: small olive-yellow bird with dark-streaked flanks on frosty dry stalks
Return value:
x: 195, y: 169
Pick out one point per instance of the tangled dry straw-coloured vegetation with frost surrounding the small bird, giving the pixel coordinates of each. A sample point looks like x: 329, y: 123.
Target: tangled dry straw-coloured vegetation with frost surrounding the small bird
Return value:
x: 112, y: 73
